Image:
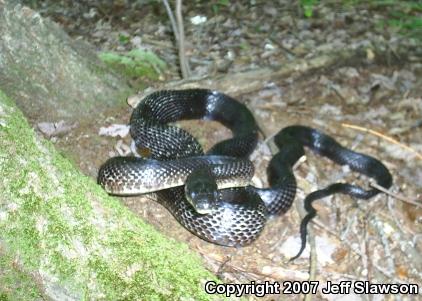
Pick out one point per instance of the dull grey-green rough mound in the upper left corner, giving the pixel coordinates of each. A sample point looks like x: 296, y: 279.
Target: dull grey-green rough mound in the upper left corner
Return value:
x: 50, y: 76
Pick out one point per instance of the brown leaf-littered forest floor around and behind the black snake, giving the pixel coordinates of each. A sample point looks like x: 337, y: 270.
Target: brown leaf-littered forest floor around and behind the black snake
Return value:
x: 379, y: 240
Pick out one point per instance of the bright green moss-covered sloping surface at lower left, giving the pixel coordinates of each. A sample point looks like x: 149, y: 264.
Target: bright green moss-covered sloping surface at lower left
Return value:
x: 63, y: 238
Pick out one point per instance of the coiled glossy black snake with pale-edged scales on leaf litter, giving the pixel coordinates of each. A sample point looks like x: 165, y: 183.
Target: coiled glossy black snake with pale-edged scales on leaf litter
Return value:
x: 186, y: 179
